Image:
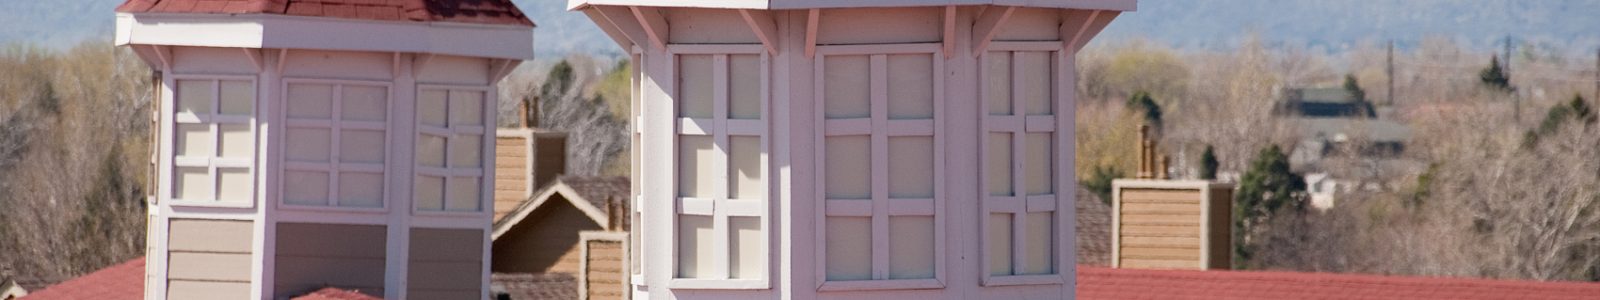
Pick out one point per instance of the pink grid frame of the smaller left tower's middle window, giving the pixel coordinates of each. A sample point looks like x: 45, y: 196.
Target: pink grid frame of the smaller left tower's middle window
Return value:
x: 335, y: 125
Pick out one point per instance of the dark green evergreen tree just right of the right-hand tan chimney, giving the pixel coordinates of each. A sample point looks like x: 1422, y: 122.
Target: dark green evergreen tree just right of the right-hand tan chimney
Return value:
x: 1266, y: 189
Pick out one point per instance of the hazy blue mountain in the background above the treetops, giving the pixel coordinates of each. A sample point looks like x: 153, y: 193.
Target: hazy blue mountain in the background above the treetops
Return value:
x: 1326, y: 25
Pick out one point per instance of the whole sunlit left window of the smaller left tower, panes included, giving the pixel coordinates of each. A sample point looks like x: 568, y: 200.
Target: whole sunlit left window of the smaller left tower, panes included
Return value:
x: 214, y: 141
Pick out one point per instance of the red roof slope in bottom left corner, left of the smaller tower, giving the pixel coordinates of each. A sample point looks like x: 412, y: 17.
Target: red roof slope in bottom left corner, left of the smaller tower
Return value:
x: 122, y: 282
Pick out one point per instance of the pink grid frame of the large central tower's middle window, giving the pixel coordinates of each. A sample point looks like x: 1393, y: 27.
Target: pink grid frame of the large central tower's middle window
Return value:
x: 881, y: 210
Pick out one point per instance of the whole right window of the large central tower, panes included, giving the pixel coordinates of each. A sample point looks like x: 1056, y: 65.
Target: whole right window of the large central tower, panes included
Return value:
x: 1022, y: 167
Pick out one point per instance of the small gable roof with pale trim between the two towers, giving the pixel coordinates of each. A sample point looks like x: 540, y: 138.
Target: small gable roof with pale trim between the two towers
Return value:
x: 586, y: 194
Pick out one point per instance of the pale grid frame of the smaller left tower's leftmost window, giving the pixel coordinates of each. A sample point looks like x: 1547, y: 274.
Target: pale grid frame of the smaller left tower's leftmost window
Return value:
x: 212, y: 120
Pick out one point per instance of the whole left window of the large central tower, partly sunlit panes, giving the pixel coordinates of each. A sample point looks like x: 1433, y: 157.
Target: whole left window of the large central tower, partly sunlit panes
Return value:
x: 722, y: 165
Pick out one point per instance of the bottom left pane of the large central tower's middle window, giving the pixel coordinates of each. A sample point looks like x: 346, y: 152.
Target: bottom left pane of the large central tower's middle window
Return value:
x: 849, y: 248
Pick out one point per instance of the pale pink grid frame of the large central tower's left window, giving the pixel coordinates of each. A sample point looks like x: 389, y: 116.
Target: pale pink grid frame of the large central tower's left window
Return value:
x: 719, y: 130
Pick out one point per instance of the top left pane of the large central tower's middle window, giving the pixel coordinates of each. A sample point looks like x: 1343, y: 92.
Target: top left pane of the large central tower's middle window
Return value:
x: 849, y: 87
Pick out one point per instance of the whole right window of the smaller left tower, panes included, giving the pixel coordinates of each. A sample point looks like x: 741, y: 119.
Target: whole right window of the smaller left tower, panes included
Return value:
x: 450, y: 149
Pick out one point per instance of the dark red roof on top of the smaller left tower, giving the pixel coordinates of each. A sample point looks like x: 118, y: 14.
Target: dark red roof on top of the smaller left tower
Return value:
x: 474, y: 12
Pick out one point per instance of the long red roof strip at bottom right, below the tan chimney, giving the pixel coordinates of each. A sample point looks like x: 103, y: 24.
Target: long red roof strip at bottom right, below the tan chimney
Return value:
x: 1122, y: 283
